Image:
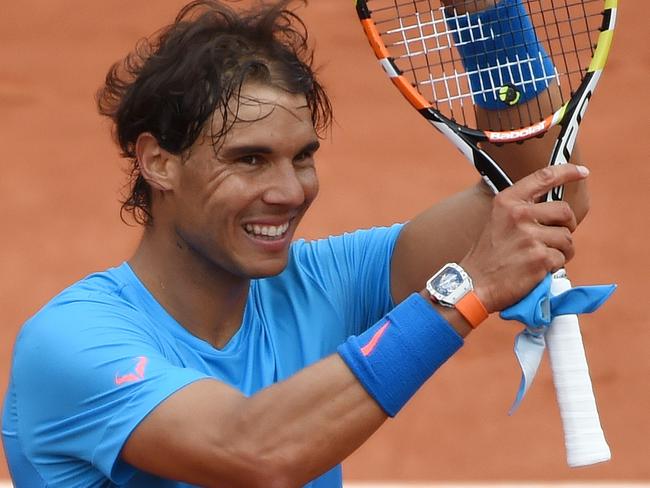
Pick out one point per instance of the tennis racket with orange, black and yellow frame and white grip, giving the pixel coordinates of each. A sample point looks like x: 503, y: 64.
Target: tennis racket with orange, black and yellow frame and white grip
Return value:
x: 554, y: 49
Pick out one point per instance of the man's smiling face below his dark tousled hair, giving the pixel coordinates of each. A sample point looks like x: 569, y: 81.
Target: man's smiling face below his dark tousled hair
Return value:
x: 237, y: 208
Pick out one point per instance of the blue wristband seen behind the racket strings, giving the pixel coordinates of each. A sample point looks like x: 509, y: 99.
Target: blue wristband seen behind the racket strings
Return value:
x: 505, y: 62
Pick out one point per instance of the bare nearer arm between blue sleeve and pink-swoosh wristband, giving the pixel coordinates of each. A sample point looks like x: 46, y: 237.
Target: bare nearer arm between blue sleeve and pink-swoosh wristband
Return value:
x: 211, y: 435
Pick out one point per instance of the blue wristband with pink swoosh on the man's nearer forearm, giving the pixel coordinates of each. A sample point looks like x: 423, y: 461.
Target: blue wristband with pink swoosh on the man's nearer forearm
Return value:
x: 394, y: 358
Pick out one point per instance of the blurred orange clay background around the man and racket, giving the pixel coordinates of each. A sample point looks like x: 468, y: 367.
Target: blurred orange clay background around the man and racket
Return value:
x: 61, y: 179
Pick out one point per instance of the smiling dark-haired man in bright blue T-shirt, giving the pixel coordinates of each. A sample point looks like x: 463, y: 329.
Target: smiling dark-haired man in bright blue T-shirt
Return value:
x: 222, y: 354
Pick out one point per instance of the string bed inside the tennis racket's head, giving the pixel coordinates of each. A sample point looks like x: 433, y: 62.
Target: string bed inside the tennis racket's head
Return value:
x: 423, y: 38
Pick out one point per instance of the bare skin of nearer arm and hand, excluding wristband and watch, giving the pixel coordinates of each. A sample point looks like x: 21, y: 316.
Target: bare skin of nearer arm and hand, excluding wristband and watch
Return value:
x: 291, y: 432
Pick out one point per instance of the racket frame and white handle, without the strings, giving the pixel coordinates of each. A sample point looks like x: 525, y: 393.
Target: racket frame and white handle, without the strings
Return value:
x: 585, y: 444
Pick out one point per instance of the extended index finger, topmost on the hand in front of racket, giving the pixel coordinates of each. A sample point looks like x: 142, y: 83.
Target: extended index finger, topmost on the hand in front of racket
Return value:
x: 544, y: 180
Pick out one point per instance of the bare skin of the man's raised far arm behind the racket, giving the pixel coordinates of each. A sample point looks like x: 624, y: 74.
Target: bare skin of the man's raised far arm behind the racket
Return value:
x: 446, y: 231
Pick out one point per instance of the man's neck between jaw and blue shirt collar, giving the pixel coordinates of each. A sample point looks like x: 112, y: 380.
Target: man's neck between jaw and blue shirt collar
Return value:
x: 207, y: 300
